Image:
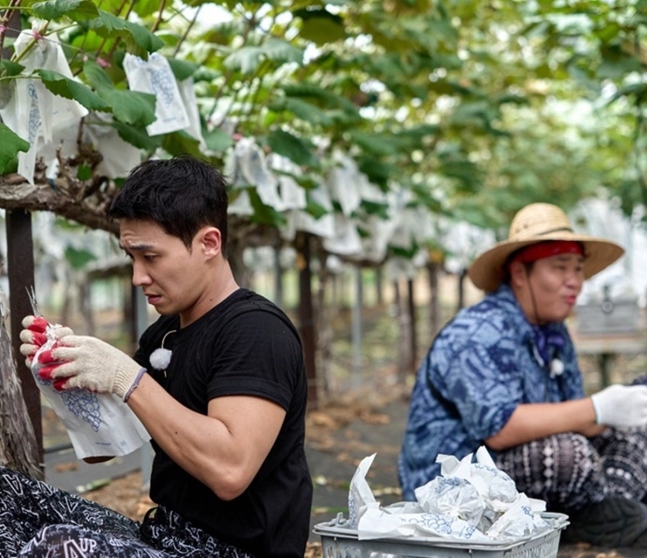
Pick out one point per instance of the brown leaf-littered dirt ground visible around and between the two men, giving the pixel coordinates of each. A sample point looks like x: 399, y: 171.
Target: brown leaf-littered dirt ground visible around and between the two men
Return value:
x: 340, y: 433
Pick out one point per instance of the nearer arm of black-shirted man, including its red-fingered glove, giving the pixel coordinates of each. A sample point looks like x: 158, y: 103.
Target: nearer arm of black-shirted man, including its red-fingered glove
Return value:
x: 223, y: 449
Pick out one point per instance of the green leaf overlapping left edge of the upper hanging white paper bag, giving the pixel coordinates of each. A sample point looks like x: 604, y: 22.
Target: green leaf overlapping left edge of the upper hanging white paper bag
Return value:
x: 130, y: 107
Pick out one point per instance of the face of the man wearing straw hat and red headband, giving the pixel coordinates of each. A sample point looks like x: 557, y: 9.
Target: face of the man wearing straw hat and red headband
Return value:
x: 554, y: 282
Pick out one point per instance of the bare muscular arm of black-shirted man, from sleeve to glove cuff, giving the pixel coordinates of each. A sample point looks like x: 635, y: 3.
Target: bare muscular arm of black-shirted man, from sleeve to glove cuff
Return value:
x: 224, y: 449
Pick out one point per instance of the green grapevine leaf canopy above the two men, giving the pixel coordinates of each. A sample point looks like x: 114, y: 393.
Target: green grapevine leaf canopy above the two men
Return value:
x: 476, y: 108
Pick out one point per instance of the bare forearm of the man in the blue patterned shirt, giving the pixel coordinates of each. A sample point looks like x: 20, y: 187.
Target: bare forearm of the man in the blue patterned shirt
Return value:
x: 538, y: 420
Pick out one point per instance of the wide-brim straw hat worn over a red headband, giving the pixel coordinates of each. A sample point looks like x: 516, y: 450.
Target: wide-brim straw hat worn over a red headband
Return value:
x: 539, y: 222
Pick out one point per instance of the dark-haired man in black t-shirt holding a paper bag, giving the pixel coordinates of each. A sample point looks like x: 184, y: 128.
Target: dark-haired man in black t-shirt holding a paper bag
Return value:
x: 218, y: 381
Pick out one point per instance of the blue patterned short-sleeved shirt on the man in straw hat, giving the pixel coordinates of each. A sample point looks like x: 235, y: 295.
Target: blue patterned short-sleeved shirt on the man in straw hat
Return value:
x: 480, y: 367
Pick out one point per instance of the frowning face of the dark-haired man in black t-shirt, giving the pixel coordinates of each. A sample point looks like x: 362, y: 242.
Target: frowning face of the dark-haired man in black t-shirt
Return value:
x: 171, y: 276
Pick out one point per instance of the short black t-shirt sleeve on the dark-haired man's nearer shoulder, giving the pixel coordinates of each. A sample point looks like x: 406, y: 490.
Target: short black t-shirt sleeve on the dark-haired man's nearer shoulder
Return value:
x: 258, y: 355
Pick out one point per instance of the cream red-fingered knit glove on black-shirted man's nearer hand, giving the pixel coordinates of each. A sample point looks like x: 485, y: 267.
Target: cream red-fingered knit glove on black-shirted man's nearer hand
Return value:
x: 89, y: 363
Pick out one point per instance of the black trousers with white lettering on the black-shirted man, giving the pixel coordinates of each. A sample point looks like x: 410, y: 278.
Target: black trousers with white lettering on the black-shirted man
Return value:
x: 40, y: 521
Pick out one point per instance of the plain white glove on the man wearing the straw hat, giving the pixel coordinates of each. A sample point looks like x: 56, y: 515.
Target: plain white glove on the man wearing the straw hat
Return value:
x: 621, y: 406
